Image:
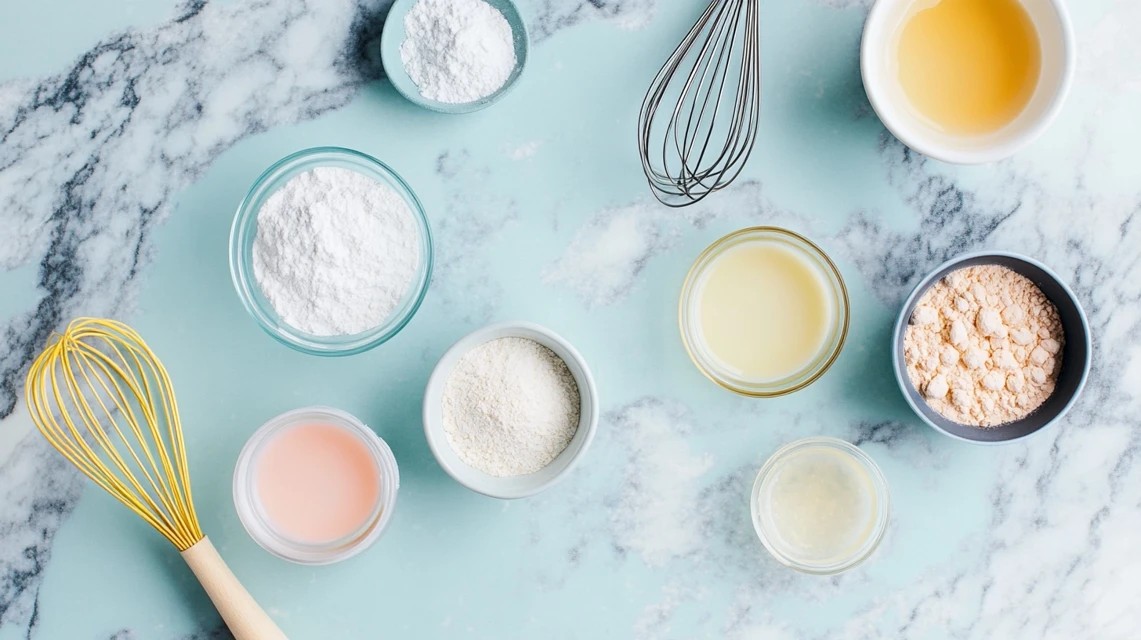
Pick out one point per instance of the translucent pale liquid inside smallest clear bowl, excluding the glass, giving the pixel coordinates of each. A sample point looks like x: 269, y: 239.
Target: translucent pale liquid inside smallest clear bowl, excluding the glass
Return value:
x: 819, y: 506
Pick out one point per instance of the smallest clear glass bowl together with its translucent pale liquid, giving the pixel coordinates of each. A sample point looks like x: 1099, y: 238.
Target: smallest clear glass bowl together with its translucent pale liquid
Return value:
x: 821, y: 506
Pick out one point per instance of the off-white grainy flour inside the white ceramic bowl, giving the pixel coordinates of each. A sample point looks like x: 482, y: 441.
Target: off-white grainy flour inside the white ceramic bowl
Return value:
x: 511, y: 407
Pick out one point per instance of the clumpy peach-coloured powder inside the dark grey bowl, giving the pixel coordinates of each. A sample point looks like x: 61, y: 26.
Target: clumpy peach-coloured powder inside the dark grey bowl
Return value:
x: 984, y: 346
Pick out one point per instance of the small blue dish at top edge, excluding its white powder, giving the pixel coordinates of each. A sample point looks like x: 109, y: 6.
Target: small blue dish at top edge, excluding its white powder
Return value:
x: 393, y: 37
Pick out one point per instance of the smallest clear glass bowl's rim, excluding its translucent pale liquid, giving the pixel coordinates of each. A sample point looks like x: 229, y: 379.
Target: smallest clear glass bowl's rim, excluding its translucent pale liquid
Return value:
x: 883, y: 507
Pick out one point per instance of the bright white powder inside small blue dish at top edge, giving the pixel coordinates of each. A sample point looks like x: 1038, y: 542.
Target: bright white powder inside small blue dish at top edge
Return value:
x: 457, y: 51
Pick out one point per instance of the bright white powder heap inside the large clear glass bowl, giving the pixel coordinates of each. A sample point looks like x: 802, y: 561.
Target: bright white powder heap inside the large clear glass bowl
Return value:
x: 336, y: 252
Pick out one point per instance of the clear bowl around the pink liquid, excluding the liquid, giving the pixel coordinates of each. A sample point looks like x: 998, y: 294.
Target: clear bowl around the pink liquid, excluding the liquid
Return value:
x: 258, y: 524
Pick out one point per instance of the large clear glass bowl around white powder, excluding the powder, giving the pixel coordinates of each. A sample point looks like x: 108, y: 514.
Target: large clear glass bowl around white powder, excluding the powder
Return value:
x: 246, y: 230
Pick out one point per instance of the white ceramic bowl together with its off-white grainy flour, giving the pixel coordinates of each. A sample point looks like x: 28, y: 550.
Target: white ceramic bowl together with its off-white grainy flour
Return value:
x: 511, y: 410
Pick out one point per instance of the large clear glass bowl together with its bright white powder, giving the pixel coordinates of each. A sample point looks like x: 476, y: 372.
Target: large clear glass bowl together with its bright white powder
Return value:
x: 331, y: 252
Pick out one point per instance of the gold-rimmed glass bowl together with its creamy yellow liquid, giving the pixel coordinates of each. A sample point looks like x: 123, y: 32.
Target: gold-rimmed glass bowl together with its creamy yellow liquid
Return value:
x: 764, y: 312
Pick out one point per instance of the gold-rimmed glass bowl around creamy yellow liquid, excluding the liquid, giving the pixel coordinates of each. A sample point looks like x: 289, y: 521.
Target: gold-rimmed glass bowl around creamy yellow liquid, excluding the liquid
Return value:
x: 691, y: 325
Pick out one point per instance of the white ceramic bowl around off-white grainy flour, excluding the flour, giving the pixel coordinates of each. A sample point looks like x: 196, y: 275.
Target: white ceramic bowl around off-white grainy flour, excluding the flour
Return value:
x: 516, y: 487
